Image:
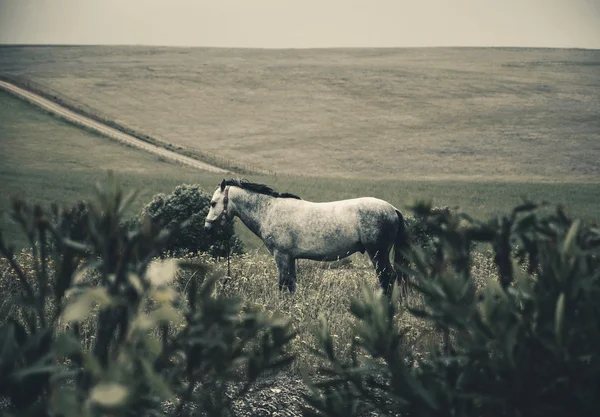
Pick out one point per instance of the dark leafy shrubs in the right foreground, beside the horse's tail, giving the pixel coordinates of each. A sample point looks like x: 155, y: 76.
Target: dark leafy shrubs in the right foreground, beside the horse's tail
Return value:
x: 527, y: 345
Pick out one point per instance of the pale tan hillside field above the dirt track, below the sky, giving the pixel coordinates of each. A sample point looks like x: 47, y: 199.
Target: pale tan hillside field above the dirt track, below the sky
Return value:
x: 403, y: 114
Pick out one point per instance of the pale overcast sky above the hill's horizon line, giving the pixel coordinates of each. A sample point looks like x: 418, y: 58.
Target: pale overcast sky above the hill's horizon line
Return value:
x: 303, y: 23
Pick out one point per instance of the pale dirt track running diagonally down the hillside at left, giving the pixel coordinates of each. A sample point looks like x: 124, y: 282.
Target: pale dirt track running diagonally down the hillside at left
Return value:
x: 105, y: 130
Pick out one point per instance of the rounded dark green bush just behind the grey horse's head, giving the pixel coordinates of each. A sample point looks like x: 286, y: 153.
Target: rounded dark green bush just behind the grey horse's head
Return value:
x: 190, y: 202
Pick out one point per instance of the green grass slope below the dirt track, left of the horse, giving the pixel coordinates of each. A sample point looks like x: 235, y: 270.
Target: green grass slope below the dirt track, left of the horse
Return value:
x: 46, y: 160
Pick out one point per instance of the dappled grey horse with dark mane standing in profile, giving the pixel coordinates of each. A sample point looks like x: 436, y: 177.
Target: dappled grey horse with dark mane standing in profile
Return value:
x: 292, y: 228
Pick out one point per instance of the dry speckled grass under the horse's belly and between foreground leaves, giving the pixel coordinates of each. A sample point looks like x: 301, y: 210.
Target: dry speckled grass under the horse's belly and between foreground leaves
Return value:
x: 324, y: 292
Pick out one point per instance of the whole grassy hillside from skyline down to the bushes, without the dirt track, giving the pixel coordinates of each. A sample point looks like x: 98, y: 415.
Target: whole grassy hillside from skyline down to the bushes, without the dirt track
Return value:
x: 484, y: 168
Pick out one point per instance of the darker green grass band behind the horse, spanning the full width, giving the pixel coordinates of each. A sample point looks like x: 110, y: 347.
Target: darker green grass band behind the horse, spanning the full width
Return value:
x: 43, y: 159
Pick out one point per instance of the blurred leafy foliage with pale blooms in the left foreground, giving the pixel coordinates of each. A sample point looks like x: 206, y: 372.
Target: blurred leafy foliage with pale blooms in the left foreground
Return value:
x: 151, y: 346
